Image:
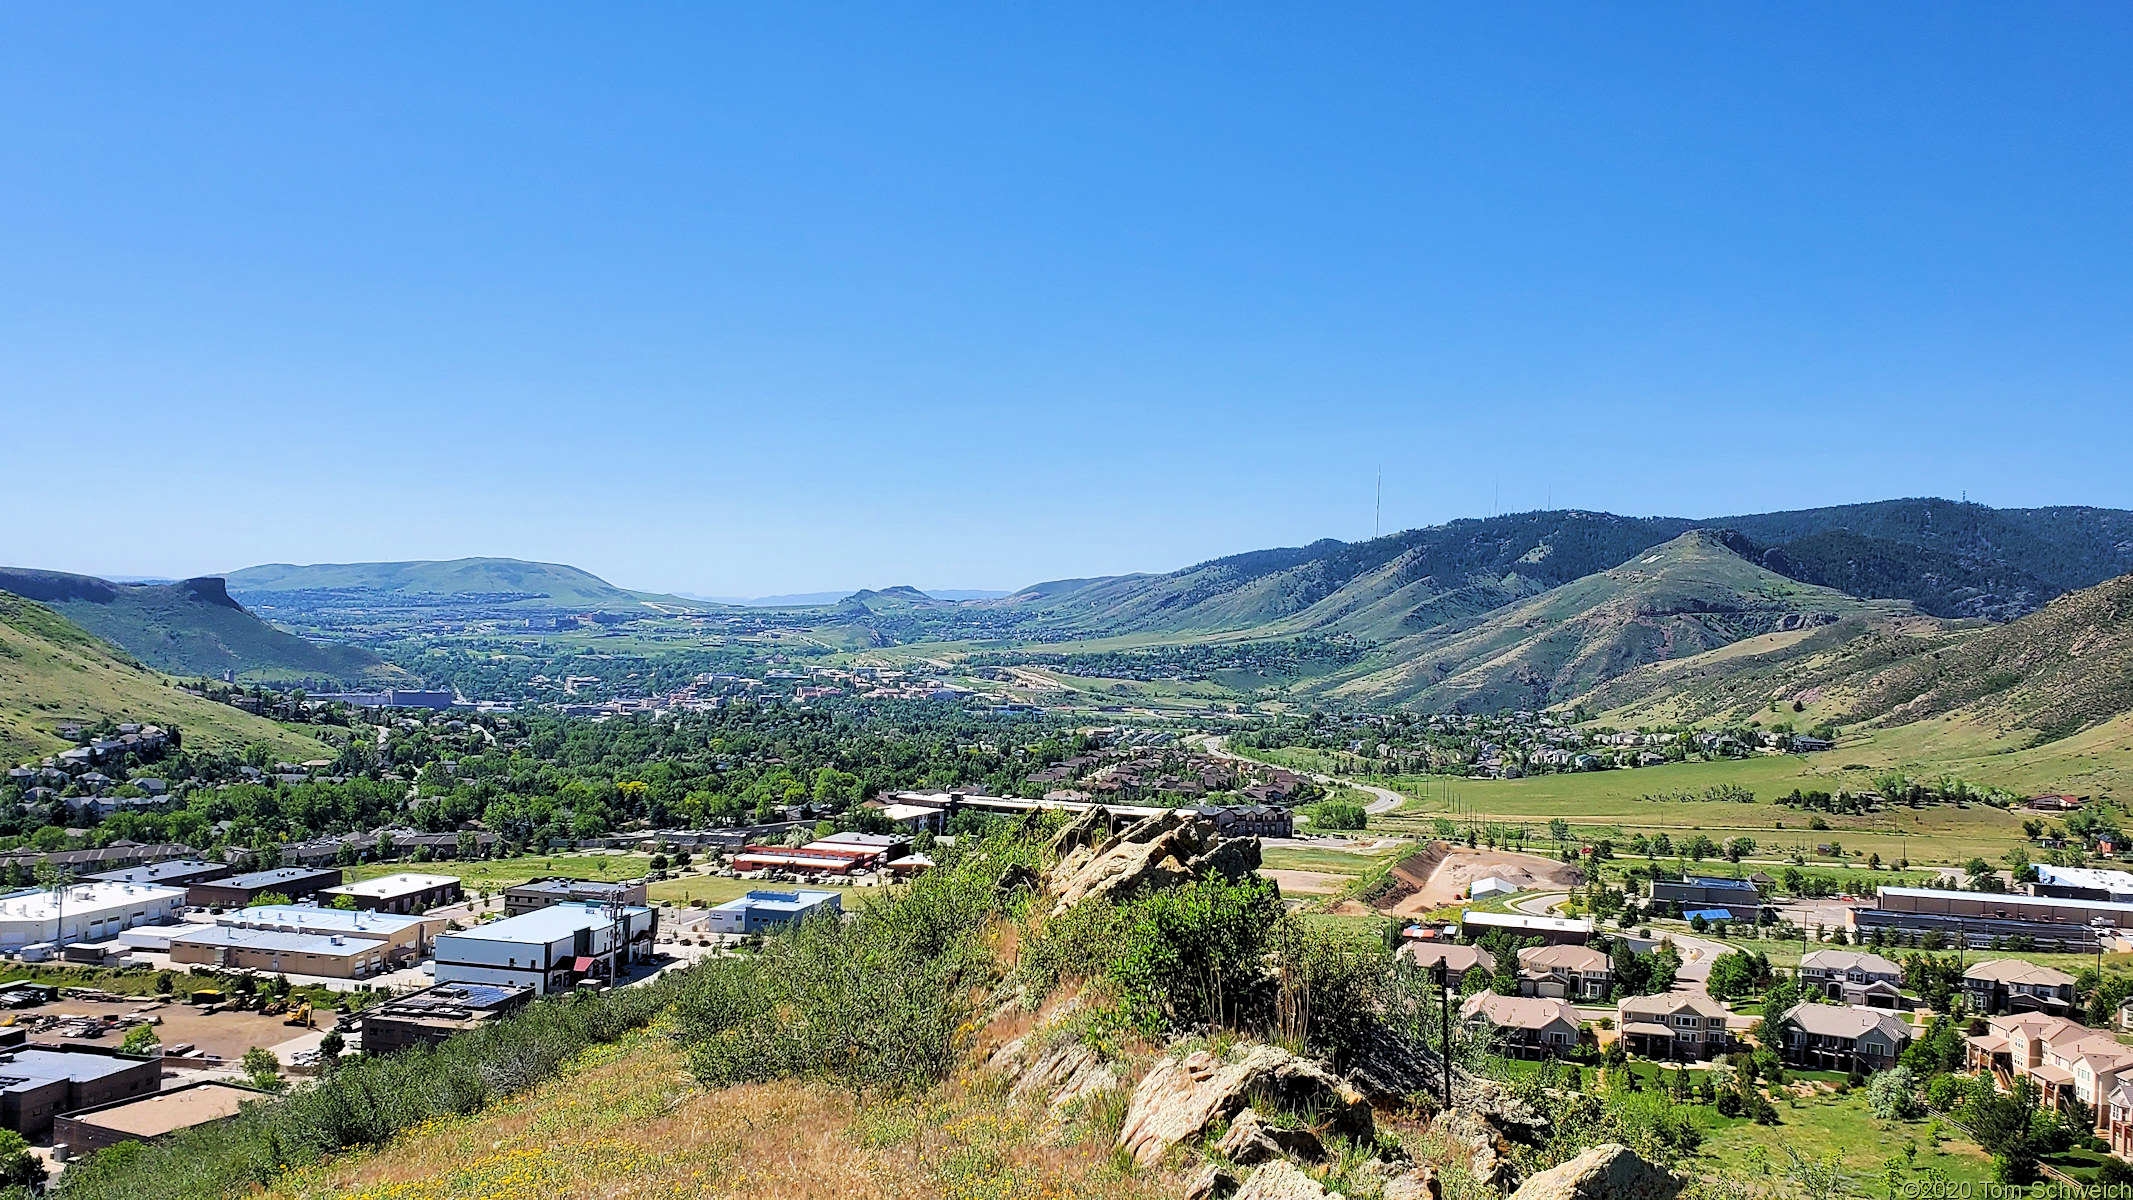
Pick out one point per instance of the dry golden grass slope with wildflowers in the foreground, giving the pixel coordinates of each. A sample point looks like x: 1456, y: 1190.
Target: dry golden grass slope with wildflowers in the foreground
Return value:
x: 628, y: 1122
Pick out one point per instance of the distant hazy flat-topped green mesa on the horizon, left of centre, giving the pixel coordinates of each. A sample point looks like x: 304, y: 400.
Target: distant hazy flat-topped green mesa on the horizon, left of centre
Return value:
x: 496, y: 581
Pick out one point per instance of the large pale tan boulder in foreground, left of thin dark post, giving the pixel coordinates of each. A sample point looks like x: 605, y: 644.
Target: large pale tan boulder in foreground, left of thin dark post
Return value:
x: 1185, y: 1097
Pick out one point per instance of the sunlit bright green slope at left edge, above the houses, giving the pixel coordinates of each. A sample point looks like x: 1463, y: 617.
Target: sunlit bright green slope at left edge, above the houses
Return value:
x: 57, y: 672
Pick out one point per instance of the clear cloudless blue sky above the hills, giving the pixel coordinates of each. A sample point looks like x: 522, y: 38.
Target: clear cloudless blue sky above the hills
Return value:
x: 812, y: 297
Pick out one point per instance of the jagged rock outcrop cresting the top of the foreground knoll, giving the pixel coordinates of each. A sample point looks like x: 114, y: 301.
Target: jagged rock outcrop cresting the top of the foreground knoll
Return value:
x: 1149, y: 856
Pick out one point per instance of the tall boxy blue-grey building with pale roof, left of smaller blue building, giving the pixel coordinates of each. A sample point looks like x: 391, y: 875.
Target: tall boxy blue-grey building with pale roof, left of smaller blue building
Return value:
x: 549, y: 950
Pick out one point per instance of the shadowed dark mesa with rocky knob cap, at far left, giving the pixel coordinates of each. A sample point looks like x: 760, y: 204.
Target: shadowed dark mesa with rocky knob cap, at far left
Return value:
x: 193, y: 630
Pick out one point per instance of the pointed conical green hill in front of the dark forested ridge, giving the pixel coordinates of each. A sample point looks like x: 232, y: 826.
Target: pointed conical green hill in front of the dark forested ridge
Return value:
x: 1680, y: 600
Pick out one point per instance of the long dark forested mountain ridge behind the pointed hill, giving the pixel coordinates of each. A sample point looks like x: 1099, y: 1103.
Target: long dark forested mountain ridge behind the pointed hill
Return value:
x: 1951, y: 560
